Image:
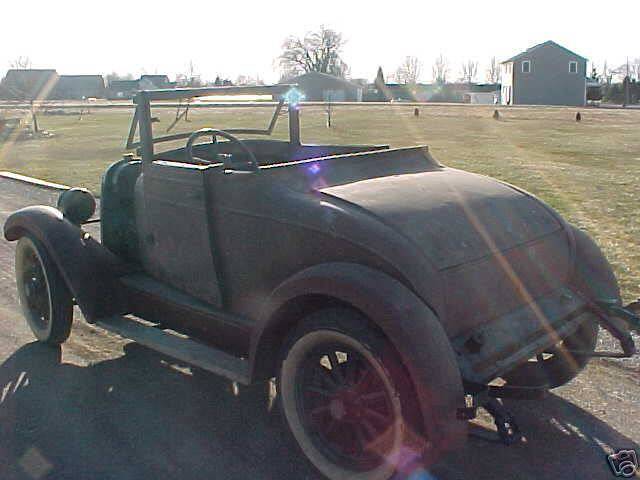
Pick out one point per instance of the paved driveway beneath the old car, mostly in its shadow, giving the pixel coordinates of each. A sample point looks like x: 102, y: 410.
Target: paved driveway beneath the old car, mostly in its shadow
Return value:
x: 104, y: 408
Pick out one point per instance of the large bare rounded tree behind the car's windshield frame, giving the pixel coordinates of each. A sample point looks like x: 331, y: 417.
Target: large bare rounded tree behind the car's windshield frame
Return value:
x: 318, y: 51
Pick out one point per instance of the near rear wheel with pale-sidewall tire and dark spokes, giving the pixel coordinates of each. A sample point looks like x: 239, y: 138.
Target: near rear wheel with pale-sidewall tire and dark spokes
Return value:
x: 346, y: 397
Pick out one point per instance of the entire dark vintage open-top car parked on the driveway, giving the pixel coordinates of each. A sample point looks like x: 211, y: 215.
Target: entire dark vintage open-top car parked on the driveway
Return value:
x: 388, y: 295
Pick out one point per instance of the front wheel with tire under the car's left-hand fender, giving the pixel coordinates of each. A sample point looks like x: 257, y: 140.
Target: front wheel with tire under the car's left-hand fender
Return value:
x: 42, y: 292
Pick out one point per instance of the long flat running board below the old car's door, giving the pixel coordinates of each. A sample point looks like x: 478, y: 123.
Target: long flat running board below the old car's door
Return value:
x: 180, y: 348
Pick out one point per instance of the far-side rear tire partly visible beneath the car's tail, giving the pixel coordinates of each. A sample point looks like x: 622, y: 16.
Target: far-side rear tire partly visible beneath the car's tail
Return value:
x: 562, y: 366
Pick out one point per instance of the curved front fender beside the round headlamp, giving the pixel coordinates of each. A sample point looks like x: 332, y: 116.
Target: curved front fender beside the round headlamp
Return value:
x: 88, y: 268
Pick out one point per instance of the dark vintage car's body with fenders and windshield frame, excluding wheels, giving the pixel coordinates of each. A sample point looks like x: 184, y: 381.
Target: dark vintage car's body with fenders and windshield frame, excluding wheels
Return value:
x: 235, y: 243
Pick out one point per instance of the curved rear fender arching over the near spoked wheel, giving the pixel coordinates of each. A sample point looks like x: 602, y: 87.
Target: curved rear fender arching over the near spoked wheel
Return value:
x: 408, y: 323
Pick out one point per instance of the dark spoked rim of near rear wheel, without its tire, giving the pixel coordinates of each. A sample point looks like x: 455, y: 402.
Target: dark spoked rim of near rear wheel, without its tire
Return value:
x: 346, y: 404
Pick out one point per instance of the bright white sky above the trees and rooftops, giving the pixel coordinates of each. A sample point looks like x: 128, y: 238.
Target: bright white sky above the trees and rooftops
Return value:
x: 245, y: 38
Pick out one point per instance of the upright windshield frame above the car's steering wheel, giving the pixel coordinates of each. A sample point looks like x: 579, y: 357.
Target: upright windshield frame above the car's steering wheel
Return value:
x: 142, y: 119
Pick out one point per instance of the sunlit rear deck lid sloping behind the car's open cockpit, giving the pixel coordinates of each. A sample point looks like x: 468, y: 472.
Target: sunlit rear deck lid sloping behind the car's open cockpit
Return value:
x: 454, y: 217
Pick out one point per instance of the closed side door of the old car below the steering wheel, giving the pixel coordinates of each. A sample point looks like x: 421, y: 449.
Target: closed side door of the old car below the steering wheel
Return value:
x: 178, y: 247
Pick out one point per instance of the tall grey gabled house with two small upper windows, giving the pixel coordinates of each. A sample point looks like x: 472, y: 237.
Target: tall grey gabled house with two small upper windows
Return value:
x: 546, y: 74
